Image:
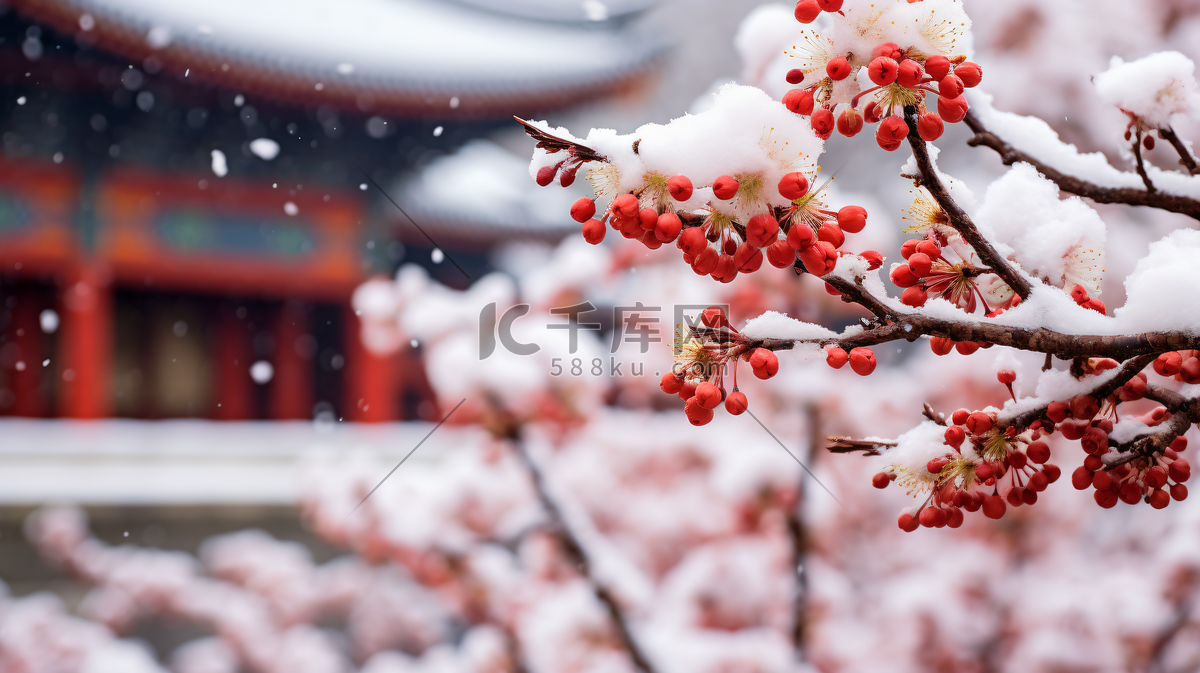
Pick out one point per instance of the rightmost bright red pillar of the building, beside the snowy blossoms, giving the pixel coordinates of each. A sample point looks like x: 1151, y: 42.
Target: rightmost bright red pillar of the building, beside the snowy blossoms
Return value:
x: 370, y: 378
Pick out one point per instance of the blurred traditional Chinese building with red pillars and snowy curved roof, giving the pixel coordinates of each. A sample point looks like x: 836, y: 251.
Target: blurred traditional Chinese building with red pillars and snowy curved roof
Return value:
x: 184, y: 194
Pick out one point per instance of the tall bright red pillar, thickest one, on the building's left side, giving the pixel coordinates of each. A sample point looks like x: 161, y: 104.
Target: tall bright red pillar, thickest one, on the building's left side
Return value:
x: 86, y: 345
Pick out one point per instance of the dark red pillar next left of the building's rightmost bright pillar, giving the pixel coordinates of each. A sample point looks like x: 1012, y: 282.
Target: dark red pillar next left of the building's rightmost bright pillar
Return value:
x: 290, y: 394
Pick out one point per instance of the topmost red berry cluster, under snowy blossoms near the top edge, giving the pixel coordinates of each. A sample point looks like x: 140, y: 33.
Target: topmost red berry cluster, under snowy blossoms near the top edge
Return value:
x: 907, y: 73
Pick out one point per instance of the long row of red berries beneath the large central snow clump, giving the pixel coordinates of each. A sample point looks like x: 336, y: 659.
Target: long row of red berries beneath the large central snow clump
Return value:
x: 734, y: 253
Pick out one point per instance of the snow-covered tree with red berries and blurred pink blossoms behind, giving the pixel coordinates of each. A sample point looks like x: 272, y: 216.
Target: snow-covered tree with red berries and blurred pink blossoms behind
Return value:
x: 573, y: 528
